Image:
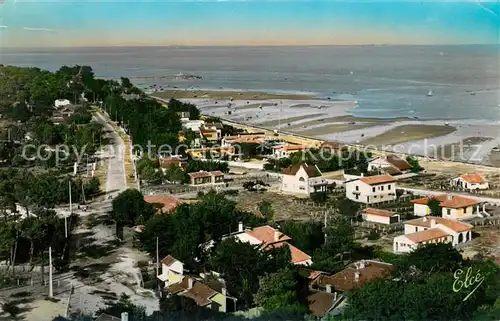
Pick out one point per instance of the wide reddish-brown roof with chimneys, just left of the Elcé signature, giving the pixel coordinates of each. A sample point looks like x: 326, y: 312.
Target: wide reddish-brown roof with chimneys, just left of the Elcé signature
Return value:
x: 344, y: 280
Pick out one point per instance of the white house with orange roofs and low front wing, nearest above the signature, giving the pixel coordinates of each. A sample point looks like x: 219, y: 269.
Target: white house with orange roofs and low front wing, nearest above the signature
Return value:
x: 430, y: 229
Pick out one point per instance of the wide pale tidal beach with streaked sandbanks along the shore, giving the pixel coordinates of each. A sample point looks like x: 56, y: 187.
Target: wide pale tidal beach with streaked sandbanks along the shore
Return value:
x: 332, y: 120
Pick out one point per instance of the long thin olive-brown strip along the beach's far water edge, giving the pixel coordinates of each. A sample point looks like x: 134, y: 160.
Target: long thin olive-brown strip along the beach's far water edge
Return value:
x: 223, y: 95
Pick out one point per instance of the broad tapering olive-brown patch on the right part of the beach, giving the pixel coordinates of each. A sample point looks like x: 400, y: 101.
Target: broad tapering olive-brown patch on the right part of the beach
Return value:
x: 406, y: 133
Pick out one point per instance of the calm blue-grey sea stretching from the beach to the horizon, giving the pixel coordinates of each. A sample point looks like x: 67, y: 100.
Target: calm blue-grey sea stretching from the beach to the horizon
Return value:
x: 387, y: 81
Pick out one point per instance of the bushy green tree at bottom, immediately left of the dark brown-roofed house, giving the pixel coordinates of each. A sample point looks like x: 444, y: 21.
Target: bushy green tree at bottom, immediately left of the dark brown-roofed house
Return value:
x: 278, y: 292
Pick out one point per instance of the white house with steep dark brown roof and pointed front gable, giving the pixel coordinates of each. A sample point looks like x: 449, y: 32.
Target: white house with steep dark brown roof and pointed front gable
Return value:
x: 303, y: 179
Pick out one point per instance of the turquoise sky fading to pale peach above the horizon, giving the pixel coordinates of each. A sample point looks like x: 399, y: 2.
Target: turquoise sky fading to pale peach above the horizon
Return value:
x: 68, y: 23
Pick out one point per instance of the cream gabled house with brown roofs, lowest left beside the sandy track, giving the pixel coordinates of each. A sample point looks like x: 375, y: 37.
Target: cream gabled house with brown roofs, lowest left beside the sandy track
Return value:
x: 208, y: 290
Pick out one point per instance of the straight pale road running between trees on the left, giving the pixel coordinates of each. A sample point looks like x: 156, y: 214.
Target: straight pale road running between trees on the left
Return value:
x: 116, y: 180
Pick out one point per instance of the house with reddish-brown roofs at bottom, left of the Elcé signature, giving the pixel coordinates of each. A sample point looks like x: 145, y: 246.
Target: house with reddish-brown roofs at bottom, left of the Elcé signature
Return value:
x: 327, y: 291
